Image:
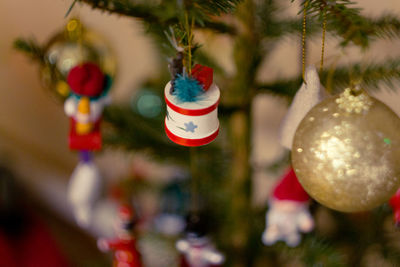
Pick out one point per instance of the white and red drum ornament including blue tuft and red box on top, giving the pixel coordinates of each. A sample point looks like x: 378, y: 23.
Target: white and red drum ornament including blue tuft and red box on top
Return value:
x: 192, y: 111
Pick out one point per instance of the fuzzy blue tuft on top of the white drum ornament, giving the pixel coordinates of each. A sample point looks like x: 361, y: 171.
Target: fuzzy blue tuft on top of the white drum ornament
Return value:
x: 187, y: 89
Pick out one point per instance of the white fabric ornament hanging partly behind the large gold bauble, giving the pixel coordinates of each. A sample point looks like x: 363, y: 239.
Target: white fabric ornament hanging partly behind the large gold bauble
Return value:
x: 310, y: 93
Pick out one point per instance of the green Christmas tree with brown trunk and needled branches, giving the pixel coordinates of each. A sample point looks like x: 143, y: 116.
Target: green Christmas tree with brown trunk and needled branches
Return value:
x: 222, y: 171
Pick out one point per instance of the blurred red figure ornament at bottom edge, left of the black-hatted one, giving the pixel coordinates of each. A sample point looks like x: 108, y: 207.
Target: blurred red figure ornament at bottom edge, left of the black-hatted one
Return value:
x: 124, y: 246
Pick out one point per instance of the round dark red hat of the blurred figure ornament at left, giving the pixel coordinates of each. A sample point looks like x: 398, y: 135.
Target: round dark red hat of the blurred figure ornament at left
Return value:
x: 86, y: 80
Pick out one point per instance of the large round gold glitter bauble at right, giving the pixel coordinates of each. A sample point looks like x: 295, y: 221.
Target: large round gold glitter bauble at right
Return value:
x: 346, y: 152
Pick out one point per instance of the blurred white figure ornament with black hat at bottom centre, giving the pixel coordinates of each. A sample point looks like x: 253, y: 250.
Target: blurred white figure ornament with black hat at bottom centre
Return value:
x: 196, y: 248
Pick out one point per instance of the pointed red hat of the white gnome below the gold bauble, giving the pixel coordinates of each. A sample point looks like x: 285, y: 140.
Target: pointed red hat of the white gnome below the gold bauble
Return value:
x: 289, y: 188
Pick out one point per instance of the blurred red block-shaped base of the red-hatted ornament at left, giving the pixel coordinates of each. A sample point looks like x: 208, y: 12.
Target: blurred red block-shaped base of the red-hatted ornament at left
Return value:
x: 90, y: 141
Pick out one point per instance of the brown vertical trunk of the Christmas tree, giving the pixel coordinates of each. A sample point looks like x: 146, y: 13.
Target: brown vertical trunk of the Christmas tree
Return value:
x: 247, y: 59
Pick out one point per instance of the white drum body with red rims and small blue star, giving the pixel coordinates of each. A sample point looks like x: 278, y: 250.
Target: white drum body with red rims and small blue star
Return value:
x: 192, y: 123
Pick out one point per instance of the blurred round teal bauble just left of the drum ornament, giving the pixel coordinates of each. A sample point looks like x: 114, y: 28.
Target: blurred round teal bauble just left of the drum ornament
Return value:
x: 147, y: 103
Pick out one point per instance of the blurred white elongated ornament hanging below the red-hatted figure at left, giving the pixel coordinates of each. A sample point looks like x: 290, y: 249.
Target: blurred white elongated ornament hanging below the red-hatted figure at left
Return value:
x: 83, y: 191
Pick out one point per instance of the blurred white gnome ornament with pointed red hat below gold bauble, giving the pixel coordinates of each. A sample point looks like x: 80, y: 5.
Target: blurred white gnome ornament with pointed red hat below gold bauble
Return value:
x: 288, y: 212
